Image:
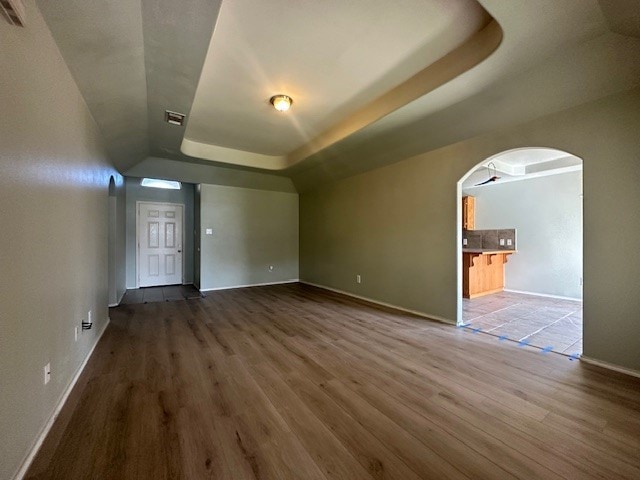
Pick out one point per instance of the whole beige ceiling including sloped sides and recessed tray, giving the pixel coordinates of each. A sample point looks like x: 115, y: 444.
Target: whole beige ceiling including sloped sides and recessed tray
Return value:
x: 132, y: 59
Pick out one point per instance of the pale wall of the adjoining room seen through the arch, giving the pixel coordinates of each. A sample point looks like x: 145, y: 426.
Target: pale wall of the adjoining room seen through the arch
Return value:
x: 547, y: 213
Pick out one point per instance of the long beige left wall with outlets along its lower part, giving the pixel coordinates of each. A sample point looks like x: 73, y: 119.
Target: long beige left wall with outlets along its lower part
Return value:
x: 54, y: 178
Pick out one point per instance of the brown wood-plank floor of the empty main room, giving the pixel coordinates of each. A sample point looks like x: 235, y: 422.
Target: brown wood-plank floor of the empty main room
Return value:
x: 294, y: 382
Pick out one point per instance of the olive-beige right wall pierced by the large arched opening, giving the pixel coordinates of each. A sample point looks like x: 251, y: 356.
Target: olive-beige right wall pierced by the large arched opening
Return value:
x: 397, y: 225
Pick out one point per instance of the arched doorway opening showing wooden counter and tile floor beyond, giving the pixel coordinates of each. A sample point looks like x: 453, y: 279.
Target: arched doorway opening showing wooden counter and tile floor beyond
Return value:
x: 520, y: 249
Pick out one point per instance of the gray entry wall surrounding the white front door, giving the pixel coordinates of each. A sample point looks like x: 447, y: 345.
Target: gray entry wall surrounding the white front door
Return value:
x: 136, y: 193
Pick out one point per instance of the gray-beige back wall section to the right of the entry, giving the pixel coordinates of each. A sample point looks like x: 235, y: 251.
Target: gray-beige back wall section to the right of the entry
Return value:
x: 251, y: 230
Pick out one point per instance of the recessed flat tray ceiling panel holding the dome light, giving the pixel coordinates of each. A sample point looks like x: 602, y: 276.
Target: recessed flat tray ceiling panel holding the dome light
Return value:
x: 332, y: 57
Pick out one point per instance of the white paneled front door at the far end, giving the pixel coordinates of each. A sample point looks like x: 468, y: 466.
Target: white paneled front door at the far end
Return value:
x: 159, y: 244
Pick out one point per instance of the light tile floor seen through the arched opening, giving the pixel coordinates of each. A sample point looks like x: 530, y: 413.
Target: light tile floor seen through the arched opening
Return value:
x: 547, y: 323
